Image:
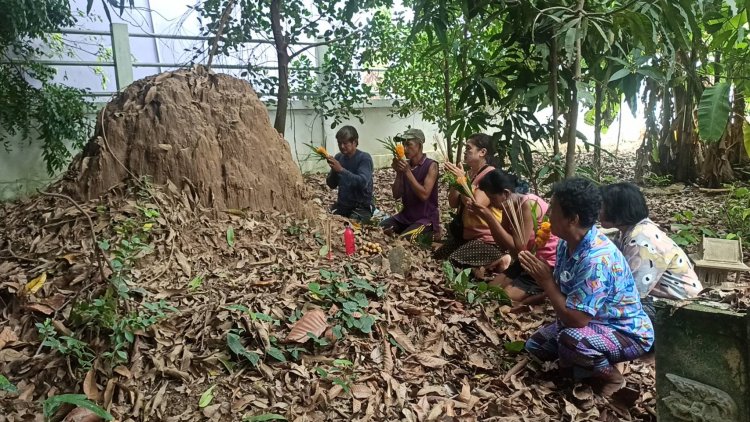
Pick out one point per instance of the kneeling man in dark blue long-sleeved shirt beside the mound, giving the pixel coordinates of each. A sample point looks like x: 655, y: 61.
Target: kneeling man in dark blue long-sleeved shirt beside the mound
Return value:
x: 351, y: 173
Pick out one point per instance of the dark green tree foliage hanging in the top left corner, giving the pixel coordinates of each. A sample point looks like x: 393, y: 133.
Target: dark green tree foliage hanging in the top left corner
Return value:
x: 31, y: 106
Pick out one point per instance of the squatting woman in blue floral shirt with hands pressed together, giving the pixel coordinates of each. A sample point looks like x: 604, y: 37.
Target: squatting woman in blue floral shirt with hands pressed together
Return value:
x: 600, y: 320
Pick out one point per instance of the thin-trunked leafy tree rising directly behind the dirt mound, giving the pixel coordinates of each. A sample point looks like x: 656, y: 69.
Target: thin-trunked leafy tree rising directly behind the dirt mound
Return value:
x: 294, y: 27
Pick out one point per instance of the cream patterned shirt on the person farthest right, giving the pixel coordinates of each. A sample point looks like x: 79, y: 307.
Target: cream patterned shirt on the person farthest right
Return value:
x: 660, y: 267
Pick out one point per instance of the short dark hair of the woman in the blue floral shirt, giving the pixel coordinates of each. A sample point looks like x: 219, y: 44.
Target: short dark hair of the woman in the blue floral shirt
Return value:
x: 578, y: 196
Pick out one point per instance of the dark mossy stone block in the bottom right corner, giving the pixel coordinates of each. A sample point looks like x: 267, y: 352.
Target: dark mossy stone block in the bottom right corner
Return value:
x: 702, y: 363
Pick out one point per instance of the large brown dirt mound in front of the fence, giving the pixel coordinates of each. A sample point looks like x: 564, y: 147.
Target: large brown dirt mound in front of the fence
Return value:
x: 197, y: 129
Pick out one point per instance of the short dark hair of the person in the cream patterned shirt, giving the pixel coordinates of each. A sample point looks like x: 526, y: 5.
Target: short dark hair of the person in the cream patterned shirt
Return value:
x: 623, y: 204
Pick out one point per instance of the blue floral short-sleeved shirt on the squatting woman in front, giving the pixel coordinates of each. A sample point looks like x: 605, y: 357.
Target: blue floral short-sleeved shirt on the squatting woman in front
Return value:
x: 596, y: 280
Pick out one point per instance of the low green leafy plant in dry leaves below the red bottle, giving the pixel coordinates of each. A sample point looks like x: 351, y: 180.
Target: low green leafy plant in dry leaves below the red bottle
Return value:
x: 351, y: 299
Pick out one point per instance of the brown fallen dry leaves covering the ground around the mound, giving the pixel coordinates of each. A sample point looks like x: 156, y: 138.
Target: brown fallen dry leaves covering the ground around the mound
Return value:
x: 426, y: 357
